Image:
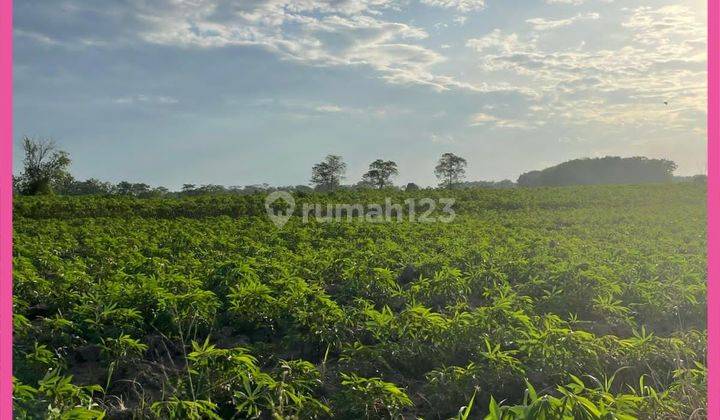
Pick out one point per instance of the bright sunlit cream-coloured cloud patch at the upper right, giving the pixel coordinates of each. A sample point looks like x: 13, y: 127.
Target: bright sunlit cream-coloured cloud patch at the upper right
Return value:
x: 622, y: 87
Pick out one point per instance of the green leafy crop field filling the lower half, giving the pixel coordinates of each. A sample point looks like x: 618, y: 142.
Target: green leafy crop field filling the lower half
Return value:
x: 546, y: 303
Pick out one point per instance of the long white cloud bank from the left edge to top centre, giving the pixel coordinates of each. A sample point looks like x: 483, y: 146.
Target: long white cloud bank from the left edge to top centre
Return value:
x: 311, y: 32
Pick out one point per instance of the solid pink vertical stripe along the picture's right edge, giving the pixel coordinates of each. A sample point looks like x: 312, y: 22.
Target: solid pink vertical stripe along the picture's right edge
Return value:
x: 713, y: 210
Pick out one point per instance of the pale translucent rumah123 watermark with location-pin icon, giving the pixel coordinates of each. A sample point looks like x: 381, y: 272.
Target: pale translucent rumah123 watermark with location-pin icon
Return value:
x: 280, y: 207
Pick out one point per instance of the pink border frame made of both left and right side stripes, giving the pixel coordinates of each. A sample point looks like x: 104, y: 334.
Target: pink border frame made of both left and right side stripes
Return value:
x: 713, y: 203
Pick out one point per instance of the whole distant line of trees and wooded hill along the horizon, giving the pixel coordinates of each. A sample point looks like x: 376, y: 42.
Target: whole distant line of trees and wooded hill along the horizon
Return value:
x: 46, y: 171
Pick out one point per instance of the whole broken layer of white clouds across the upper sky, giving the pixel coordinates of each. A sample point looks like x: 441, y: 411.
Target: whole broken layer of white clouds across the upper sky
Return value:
x: 663, y: 56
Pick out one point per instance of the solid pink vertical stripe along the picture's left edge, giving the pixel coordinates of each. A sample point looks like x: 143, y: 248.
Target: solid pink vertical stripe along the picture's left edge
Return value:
x: 6, y: 209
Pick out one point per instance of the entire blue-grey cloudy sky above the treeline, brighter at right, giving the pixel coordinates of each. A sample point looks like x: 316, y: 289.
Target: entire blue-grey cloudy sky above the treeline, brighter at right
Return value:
x: 169, y: 92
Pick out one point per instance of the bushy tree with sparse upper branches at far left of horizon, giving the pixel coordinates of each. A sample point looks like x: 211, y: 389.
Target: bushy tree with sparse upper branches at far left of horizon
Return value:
x: 43, y: 167
